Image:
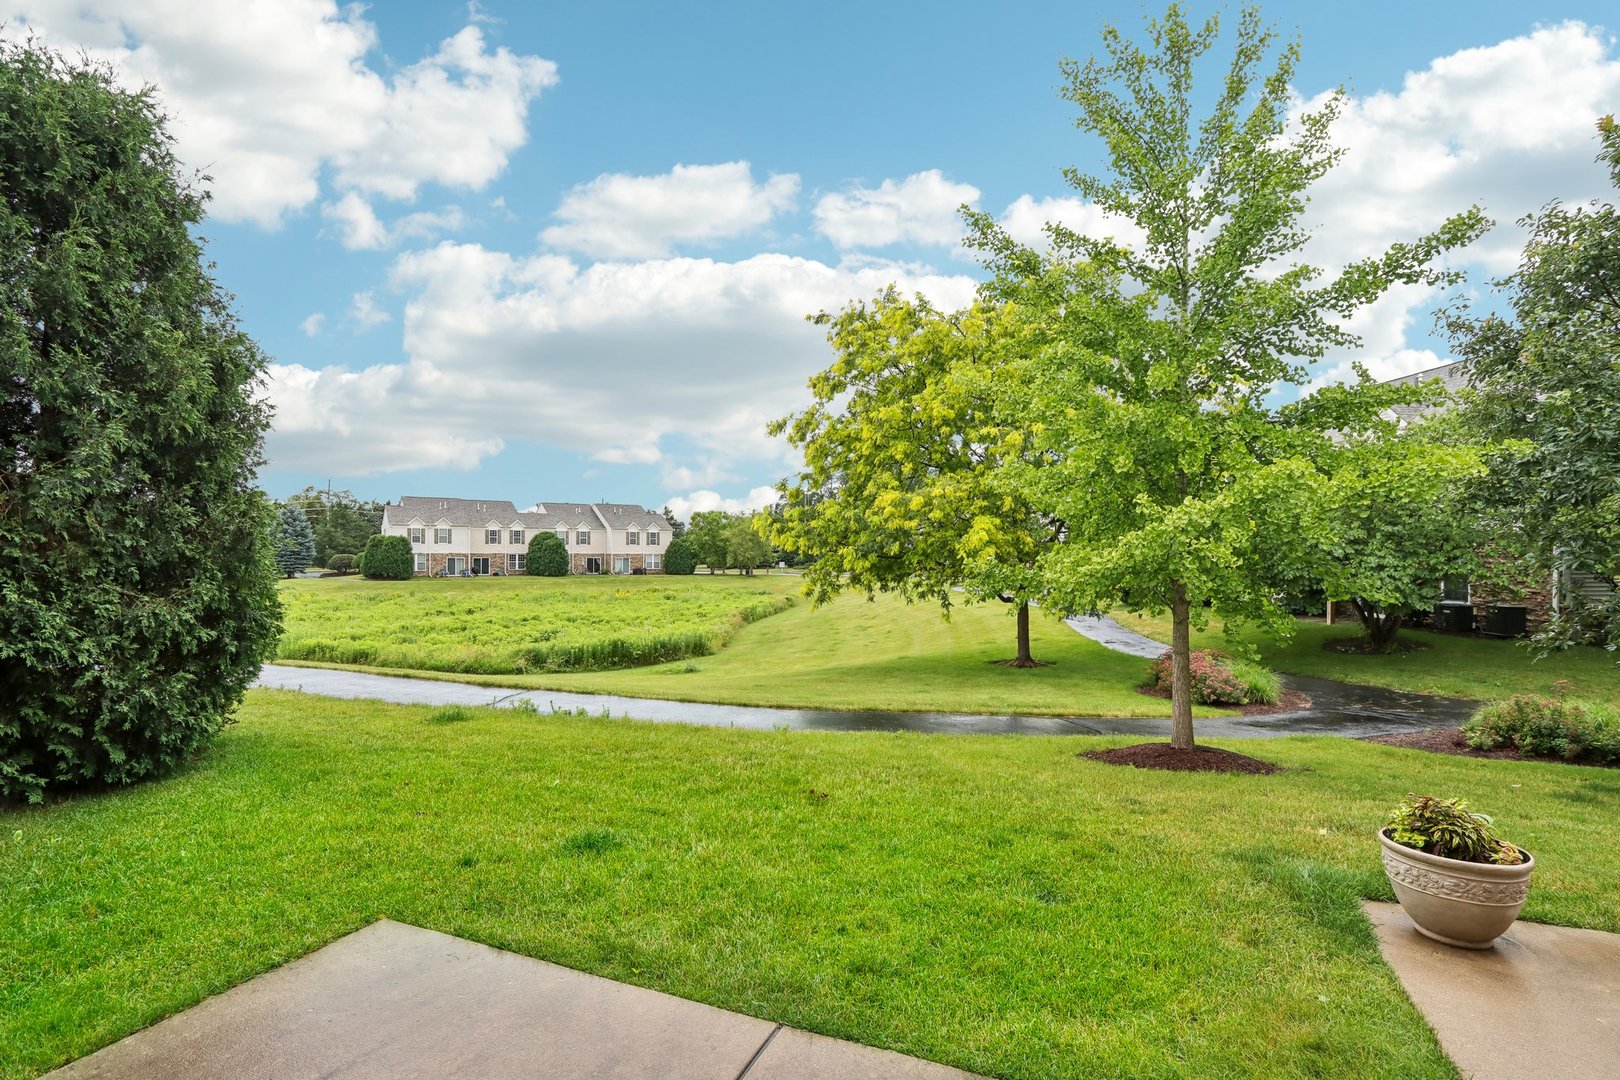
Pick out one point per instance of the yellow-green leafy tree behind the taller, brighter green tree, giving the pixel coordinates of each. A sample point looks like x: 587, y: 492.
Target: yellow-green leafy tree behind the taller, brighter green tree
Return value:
x: 902, y: 448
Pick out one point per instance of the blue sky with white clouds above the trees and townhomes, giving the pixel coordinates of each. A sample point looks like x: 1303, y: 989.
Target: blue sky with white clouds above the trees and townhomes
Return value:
x: 563, y: 252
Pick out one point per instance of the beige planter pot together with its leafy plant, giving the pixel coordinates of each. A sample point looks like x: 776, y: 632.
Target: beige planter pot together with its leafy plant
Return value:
x: 1457, y: 880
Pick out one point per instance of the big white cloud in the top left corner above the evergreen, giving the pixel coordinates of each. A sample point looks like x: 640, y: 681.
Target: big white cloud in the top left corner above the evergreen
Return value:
x: 266, y: 95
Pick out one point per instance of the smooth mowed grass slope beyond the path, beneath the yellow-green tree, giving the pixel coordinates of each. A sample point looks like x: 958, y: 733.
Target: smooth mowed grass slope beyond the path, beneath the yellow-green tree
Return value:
x: 882, y: 655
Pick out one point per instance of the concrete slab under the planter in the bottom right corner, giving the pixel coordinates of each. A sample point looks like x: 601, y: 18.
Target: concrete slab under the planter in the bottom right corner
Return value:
x: 1543, y: 1005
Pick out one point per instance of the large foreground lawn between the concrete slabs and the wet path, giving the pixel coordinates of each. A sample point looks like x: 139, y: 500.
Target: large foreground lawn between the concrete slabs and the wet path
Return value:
x: 992, y: 903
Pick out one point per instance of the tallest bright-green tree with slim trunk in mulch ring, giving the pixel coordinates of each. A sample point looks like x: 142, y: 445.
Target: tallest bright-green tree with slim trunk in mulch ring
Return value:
x: 1153, y: 365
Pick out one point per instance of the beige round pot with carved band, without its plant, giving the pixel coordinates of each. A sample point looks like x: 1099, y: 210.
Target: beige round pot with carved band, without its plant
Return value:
x: 1462, y: 904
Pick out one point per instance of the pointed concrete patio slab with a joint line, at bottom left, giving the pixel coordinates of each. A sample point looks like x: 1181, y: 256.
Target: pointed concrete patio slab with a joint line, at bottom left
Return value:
x: 404, y: 1003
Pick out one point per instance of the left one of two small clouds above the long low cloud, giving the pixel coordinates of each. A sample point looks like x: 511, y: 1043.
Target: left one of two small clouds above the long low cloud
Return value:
x: 641, y: 218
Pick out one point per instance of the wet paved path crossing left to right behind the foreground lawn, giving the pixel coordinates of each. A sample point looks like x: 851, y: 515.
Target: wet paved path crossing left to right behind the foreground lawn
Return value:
x: 339, y: 684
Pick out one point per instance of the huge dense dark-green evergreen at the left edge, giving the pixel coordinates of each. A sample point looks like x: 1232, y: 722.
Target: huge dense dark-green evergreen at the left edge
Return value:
x: 137, y: 585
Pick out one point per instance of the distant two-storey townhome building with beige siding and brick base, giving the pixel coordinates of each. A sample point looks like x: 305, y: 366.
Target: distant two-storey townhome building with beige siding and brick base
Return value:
x: 490, y: 537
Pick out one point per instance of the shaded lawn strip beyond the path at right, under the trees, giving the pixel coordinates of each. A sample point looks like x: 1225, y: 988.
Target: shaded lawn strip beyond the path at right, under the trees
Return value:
x: 1454, y: 666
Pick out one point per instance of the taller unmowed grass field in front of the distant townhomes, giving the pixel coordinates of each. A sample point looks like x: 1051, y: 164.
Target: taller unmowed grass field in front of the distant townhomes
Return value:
x: 519, y: 624
